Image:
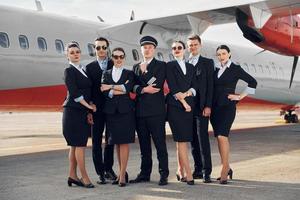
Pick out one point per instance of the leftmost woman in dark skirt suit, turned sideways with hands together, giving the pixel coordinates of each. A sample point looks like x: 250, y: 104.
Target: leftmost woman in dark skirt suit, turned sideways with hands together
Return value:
x: 75, y: 127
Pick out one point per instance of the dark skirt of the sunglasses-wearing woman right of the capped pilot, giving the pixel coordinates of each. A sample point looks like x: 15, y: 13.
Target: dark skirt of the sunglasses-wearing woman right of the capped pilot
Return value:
x: 181, y: 123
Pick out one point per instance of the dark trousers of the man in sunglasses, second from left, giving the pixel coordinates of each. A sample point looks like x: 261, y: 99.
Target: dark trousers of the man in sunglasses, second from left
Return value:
x: 101, y: 163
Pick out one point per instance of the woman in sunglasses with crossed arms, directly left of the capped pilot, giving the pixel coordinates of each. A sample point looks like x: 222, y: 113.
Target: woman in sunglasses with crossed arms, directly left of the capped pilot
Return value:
x: 119, y: 109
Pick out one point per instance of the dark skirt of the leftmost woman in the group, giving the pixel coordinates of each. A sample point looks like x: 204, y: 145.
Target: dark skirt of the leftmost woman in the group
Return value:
x: 76, y: 130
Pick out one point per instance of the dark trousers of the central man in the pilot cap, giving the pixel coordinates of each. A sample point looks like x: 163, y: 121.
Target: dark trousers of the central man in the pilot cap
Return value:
x: 147, y: 128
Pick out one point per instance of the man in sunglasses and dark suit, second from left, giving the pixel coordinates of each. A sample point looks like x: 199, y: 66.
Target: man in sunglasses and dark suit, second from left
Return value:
x: 103, y: 163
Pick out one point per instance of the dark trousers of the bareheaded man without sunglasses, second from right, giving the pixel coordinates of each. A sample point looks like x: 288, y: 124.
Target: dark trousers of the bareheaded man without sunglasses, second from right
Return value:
x: 201, y: 146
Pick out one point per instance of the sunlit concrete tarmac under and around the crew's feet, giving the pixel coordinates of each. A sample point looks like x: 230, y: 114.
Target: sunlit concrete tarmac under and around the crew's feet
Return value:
x: 265, y: 158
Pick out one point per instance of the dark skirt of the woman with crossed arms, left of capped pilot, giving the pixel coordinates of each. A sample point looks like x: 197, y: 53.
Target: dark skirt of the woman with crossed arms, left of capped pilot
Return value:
x: 120, y: 128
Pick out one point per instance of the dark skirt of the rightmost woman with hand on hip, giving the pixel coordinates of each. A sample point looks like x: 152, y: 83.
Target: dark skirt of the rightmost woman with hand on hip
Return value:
x: 222, y: 118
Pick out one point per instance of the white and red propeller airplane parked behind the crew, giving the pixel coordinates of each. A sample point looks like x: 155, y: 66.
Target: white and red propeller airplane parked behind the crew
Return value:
x: 32, y: 57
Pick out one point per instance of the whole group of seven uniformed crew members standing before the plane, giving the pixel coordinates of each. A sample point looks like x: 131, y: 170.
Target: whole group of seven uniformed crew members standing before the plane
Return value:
x: 99, y: 96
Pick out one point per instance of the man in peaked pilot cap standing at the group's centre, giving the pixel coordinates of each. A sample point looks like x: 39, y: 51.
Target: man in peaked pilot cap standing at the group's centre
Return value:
x: 150, y: 111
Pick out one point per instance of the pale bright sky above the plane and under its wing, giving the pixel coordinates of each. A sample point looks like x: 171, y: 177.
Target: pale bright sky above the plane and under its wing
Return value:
x: 118, y: 11
